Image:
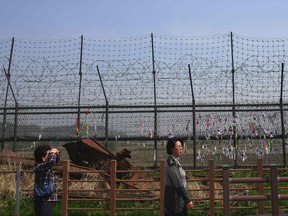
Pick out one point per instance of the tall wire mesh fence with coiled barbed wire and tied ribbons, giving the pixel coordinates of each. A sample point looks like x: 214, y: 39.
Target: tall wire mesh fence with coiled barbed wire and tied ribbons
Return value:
x: 106, y: 89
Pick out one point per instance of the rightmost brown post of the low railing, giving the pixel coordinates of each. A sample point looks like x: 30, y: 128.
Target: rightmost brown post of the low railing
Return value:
x: 274, y: 190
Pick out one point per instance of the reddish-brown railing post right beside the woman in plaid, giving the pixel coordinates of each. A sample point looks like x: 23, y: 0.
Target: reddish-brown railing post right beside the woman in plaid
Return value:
x: 66, y: 169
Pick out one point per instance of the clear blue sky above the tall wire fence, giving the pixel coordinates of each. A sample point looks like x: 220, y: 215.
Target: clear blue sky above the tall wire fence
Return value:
x: 60, y: 19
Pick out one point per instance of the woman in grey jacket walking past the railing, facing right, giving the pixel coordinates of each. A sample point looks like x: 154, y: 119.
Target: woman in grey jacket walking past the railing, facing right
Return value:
x: 176, y: 200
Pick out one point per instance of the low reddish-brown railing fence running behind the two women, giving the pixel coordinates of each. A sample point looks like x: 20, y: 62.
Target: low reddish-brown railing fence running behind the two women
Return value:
x: 265, y: 184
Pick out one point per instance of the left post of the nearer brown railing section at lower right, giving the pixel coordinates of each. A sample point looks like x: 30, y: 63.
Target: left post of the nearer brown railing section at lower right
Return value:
x: 226, y: 195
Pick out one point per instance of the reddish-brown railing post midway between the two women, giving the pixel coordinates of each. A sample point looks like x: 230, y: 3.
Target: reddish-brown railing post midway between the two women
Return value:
x: 113, y: 188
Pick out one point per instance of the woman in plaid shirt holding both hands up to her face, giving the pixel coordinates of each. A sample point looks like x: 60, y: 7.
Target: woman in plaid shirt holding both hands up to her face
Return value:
x: 45, y: 159
